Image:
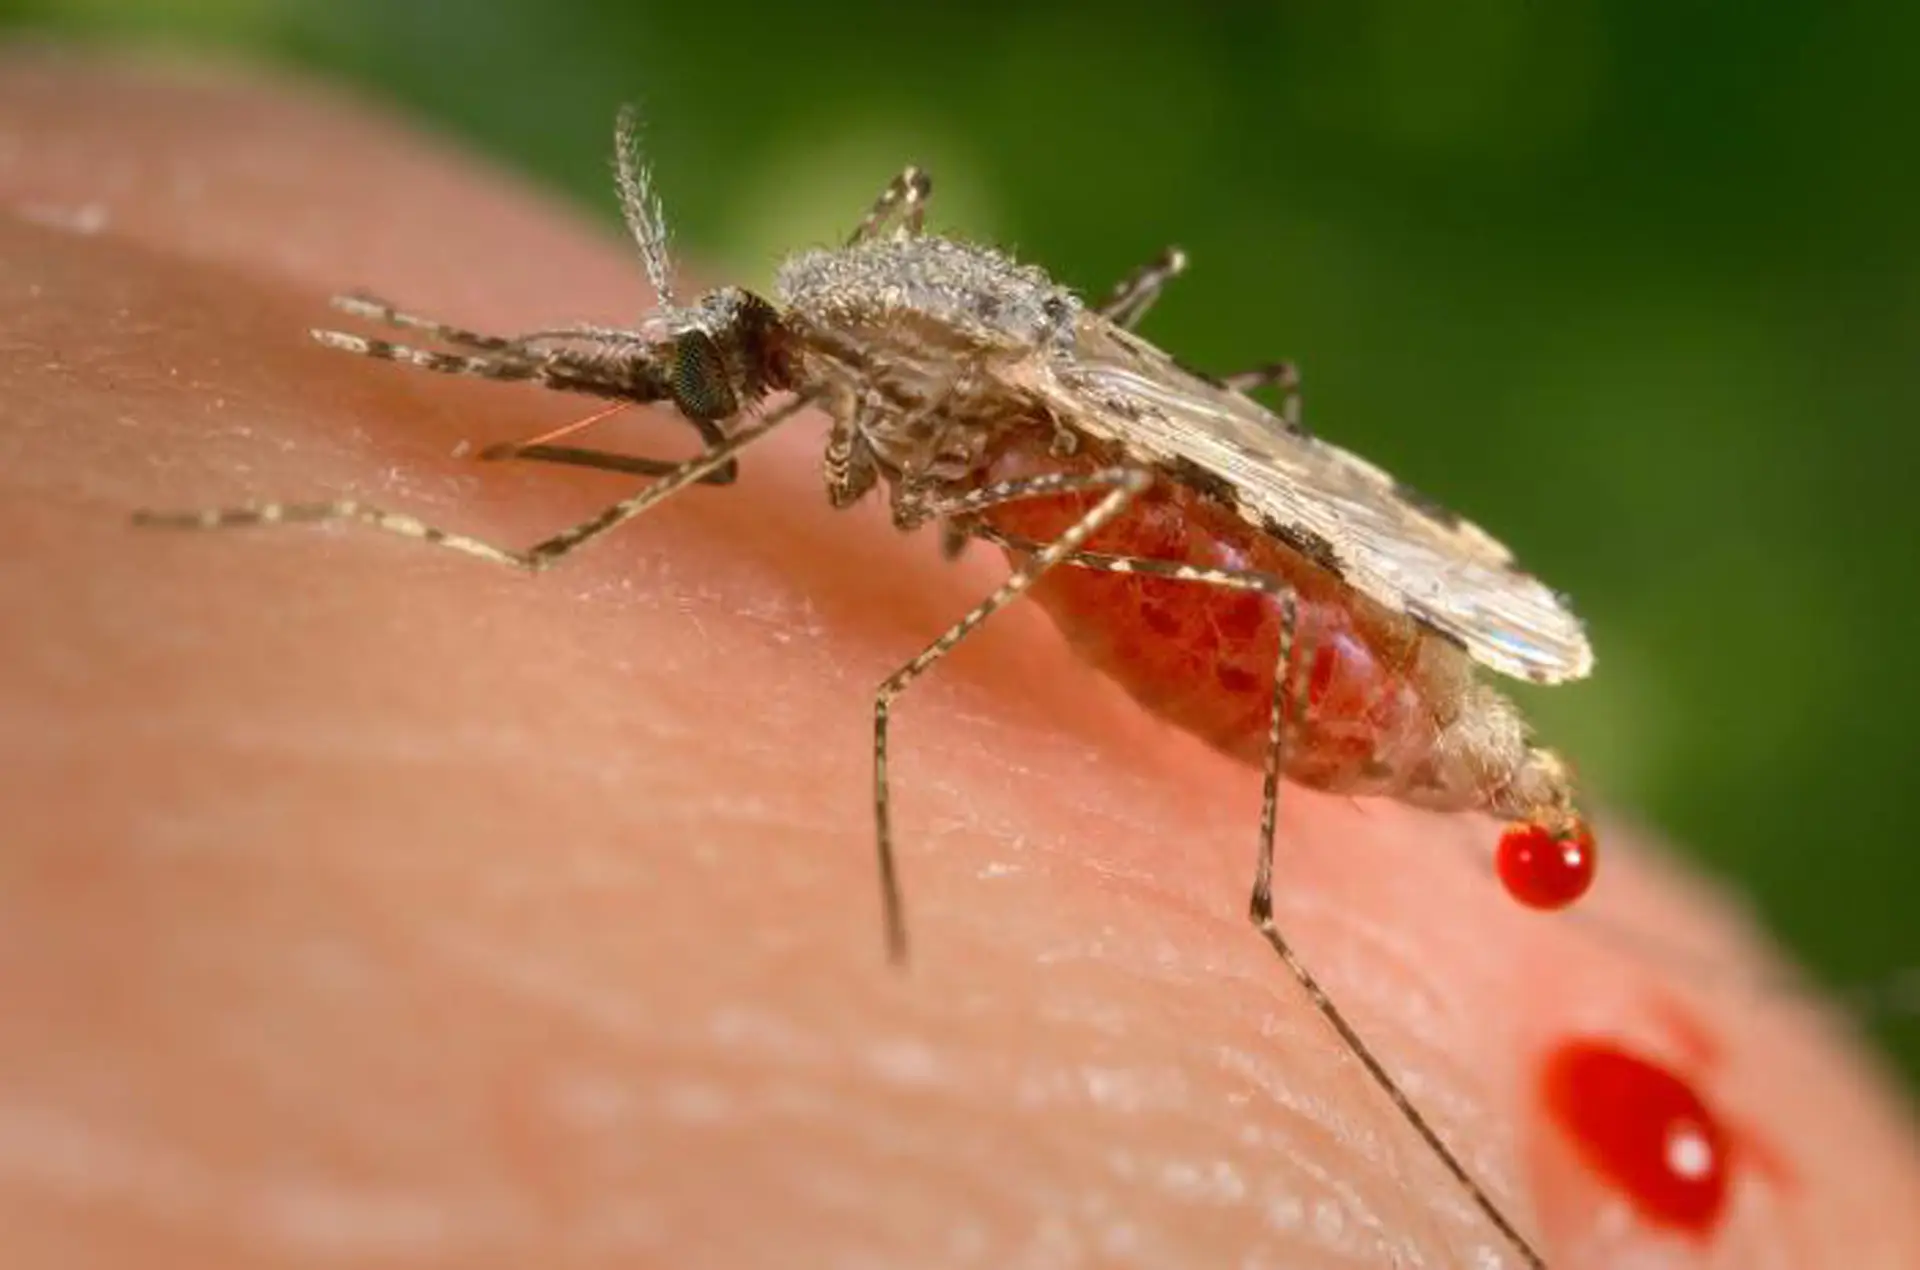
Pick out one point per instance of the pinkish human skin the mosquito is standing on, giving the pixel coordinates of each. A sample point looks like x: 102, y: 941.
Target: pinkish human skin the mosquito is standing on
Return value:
x: 368, y: 904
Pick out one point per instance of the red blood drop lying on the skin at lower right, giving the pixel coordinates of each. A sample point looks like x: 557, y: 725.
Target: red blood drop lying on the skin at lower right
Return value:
x: 1644, y: 1131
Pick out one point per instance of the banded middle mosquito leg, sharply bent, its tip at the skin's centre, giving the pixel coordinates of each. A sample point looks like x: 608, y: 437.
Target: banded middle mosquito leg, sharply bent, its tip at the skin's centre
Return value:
x: 1118, y: 485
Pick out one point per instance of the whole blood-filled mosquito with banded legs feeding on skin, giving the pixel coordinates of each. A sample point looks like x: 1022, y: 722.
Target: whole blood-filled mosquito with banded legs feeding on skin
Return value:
x: 1280, y: 597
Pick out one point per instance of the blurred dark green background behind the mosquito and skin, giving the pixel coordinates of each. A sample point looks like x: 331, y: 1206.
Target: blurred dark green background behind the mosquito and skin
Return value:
x: 1637, y: 283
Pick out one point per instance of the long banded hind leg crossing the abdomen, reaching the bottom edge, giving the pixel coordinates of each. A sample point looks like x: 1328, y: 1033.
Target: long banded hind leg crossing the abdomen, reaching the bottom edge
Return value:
x: 1260, y: 908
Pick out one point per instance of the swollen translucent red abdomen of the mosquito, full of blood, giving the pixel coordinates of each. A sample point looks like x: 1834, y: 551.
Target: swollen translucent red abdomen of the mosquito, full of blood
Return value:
x: 1205, y: 656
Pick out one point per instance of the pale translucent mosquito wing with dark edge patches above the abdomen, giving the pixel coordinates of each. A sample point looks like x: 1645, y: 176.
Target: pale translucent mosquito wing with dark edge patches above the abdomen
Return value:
x: 1381, y: 539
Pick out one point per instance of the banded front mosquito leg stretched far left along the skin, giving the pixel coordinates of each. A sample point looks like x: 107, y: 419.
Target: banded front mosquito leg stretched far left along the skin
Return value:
x: 537, y: 558
